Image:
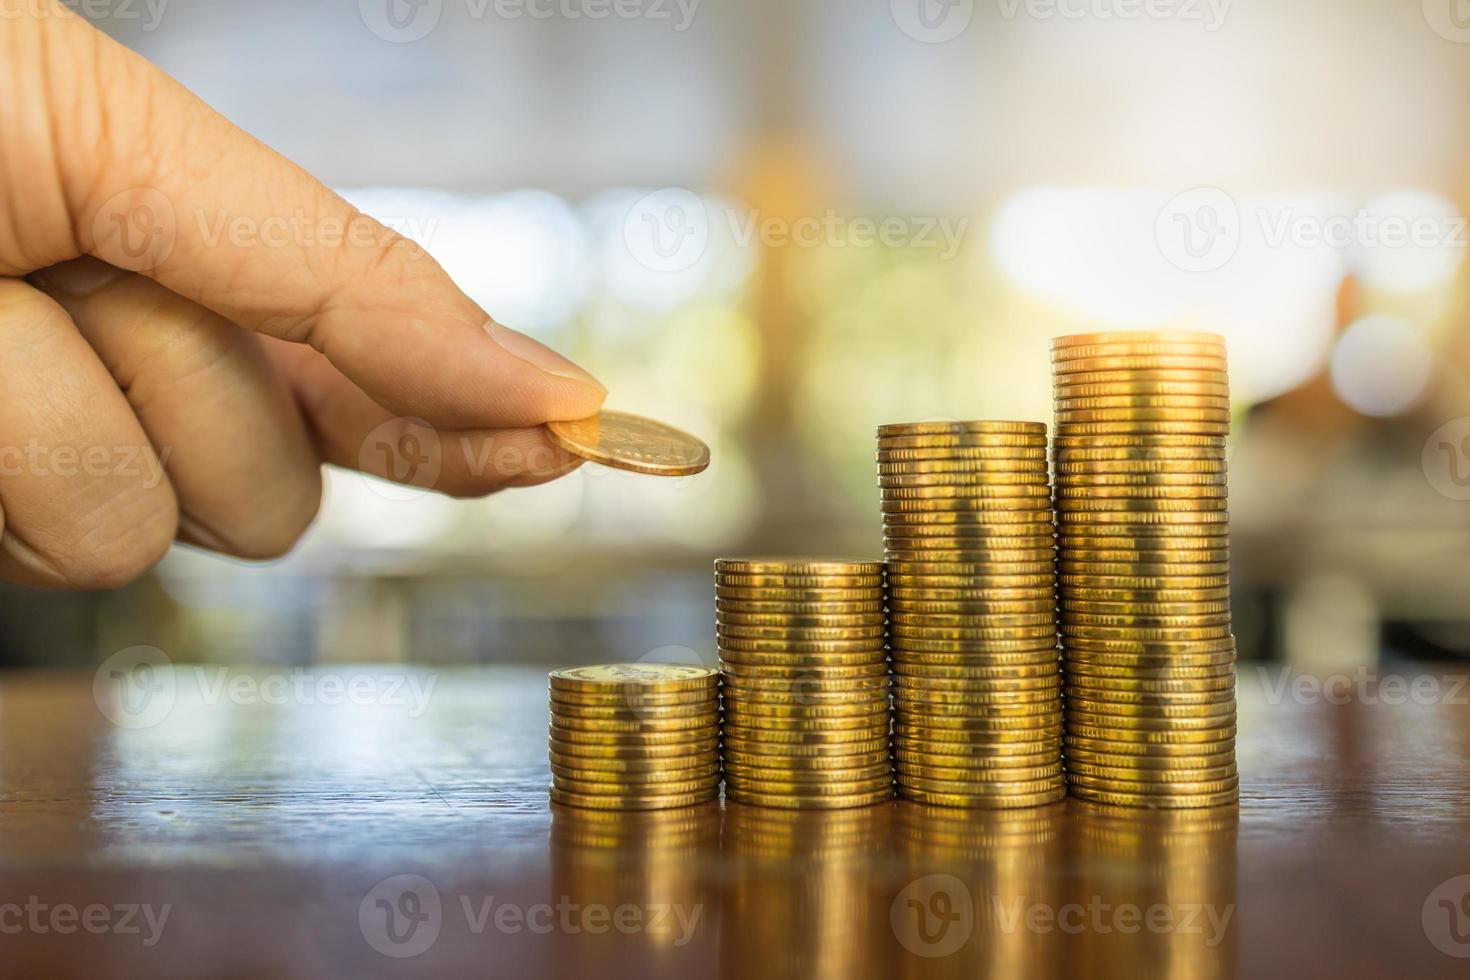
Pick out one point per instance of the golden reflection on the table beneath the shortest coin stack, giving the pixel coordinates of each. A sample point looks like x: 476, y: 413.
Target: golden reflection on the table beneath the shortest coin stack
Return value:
x: 637, y: 887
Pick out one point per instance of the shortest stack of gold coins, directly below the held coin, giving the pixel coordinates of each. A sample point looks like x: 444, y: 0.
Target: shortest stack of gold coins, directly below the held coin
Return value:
x: 636, y: 737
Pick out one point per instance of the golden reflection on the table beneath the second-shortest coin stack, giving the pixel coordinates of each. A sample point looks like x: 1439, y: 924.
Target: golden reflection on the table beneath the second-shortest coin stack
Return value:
x: 802, y: 898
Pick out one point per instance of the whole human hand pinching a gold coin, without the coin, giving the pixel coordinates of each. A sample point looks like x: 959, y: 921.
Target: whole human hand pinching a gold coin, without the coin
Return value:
x: 164, y: 381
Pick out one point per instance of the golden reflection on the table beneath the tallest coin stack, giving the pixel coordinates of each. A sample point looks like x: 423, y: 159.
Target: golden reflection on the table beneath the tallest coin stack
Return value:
x: 1165, y: 891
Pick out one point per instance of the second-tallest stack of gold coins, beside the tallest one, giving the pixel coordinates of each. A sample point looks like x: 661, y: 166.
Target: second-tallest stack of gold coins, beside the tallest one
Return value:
x: 969, y: 543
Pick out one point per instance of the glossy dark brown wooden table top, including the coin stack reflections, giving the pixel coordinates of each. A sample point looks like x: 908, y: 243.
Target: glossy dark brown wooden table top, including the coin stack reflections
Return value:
x: 277, y: 829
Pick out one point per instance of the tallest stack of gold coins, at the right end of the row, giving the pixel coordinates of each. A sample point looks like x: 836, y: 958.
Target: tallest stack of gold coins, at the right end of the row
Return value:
x: 1149, y: 656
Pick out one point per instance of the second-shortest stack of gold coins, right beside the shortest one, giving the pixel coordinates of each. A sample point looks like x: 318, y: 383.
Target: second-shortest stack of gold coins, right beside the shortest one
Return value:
x: 806, y: 682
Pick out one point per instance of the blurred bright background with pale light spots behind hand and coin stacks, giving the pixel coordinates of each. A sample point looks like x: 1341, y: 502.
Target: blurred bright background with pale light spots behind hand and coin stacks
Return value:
x: 780, y: 224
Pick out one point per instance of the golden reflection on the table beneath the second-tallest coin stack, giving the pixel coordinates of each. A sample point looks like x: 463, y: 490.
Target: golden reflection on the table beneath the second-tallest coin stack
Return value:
x: 972, y: 881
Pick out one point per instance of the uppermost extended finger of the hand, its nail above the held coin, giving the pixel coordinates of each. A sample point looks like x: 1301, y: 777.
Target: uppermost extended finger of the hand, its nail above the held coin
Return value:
x: 158, y: 183
